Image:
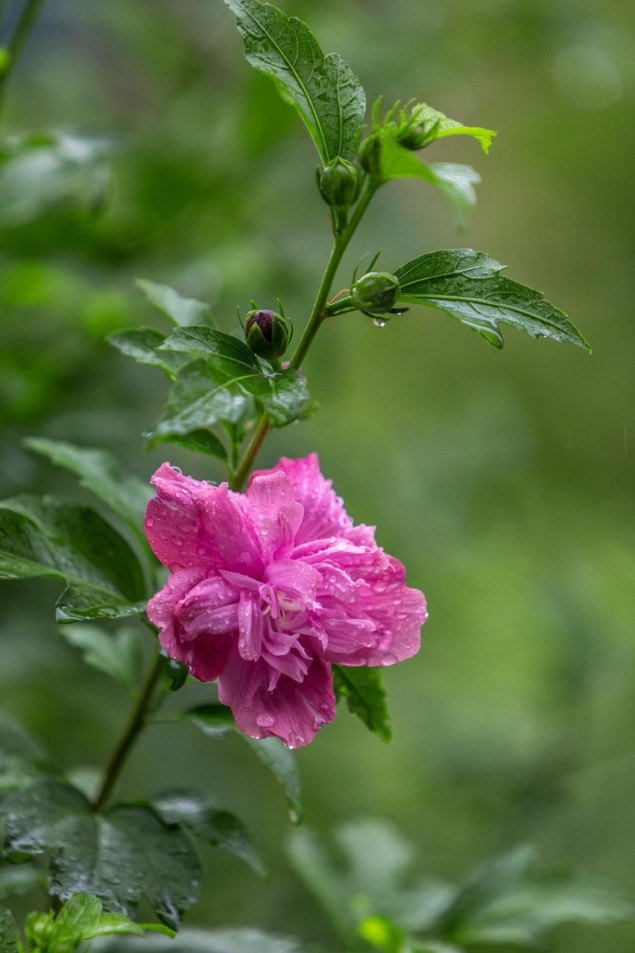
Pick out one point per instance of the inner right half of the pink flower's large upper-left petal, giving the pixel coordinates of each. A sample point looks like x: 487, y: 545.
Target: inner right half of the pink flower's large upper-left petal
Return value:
x: 229, y: 531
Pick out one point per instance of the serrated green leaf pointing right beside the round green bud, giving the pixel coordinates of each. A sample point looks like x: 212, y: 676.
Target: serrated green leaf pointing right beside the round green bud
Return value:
x: 468, y: 286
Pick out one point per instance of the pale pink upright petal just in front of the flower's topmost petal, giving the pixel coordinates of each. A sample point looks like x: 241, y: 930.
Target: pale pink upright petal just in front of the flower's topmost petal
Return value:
x: 274, y: 513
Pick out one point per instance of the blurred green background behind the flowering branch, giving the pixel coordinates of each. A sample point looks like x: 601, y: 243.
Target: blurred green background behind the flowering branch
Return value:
x: 503, y: 480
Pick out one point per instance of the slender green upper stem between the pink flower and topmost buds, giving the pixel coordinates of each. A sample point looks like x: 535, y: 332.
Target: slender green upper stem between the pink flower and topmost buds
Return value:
x: 318, y: 314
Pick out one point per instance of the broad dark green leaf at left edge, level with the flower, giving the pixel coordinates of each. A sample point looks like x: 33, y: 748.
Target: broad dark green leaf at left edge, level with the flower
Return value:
x: 43, y: 536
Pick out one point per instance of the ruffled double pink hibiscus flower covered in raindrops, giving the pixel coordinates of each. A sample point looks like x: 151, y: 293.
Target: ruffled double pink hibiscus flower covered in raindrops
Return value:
x: 270, y: 587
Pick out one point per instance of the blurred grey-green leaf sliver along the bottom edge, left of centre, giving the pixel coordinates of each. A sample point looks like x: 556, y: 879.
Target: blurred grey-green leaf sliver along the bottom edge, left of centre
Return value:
x: 211, y: 941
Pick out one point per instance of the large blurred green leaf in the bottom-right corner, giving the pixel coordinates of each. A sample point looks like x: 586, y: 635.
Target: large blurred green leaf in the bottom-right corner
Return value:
x: 510, y: 901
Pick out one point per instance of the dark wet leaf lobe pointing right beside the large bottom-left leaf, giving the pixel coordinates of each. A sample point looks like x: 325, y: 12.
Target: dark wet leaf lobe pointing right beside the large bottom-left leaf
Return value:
x: 218, y: 828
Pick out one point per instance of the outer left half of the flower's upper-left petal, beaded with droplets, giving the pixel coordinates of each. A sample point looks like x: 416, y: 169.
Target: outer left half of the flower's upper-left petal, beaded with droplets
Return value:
x: 173, y: 523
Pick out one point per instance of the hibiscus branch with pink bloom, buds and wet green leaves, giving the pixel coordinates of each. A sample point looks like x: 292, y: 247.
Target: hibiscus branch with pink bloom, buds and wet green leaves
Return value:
x: 273, y: 592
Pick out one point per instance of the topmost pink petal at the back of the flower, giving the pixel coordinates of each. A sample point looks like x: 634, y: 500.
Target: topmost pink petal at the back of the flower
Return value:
x: 324, y: 513
